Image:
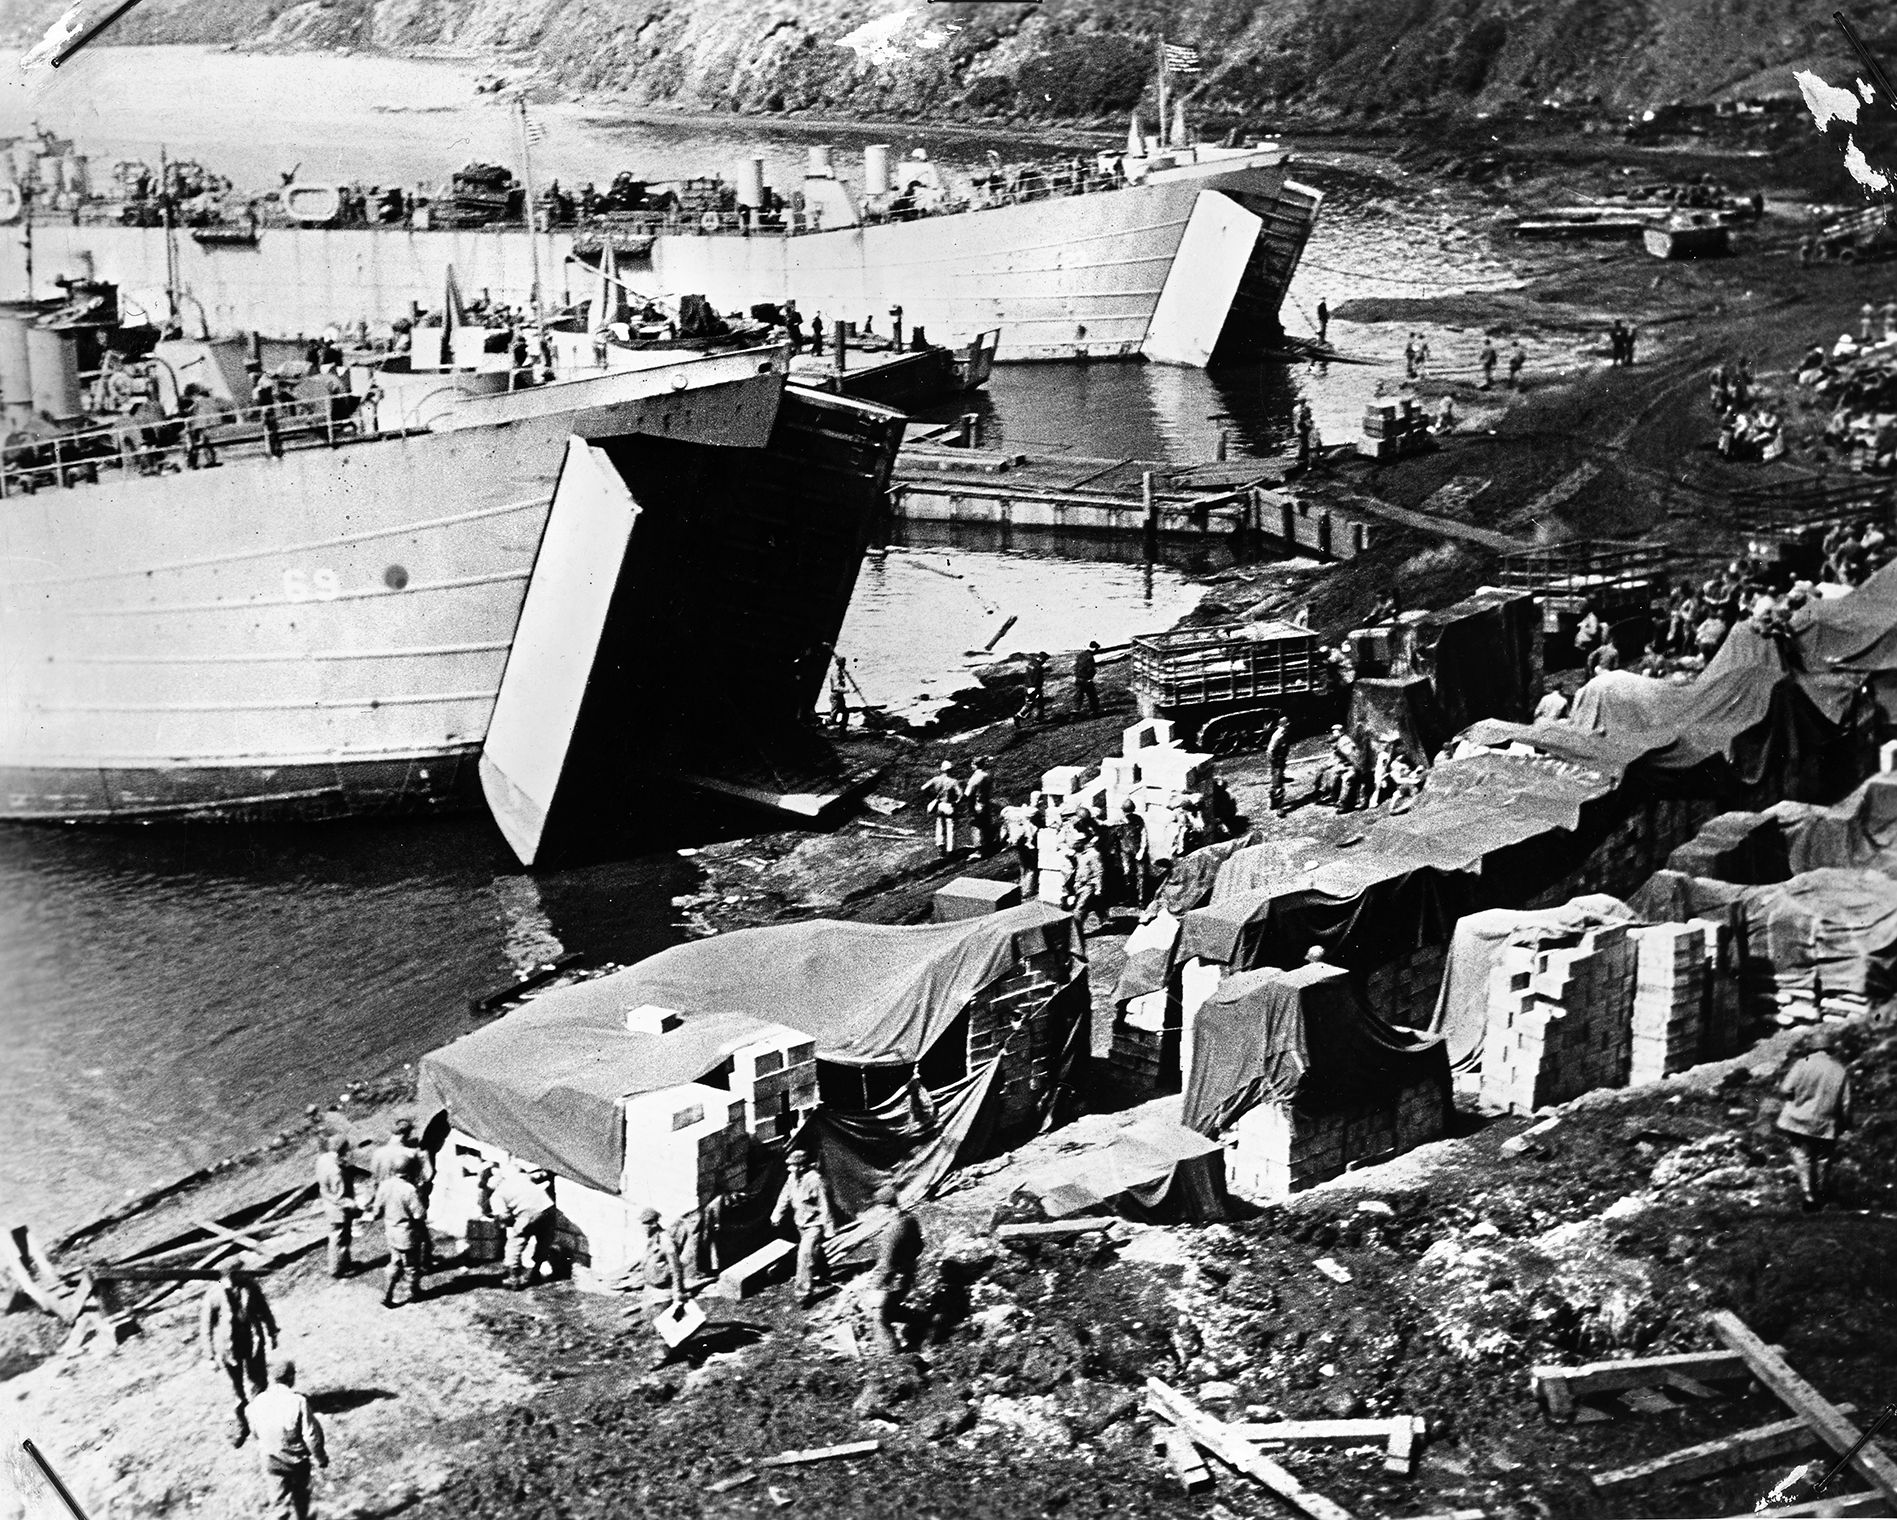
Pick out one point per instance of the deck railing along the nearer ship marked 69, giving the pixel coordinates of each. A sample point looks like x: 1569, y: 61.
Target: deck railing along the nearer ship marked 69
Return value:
x: 164, y: 445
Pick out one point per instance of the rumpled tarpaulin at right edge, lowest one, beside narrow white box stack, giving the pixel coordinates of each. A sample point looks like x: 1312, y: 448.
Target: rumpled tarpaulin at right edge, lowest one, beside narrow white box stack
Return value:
x: 1833, y: 929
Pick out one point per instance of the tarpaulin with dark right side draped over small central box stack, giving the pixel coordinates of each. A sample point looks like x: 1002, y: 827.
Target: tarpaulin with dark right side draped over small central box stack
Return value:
x: 1298, y: 1037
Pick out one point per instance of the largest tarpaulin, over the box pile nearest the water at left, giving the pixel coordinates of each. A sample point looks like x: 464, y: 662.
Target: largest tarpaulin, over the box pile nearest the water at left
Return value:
x: 547, y: 1083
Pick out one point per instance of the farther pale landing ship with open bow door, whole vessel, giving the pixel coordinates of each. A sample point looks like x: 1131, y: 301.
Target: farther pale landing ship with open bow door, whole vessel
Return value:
x: 1170, y: 253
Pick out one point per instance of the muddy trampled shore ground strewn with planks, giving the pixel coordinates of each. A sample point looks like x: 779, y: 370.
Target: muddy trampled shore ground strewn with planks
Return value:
x: 1610, y: 1234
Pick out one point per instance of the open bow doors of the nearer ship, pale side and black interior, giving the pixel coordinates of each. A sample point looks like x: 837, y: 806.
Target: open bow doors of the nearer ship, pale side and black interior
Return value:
x: 680, y: 616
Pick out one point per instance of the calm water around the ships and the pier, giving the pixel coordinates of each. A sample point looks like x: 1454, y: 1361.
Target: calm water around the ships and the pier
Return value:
x: 170, y: 995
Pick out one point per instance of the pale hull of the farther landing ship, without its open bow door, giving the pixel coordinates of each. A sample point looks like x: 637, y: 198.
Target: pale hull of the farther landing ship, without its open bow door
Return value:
x: 1061, y: 276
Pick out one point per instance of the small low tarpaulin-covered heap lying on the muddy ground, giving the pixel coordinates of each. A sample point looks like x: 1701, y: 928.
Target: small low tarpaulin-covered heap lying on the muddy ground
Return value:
x: 1151, y: 1170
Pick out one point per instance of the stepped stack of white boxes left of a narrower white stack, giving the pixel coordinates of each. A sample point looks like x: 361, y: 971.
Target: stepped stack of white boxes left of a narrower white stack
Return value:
x: 1560, y: 1022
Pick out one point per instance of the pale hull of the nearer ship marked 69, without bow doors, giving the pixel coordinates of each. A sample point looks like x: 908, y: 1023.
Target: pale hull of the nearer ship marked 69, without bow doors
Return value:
x: 306, y: 637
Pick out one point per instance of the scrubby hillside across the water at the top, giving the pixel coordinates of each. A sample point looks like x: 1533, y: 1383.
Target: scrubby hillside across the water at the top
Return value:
x: 1071, y: 60
